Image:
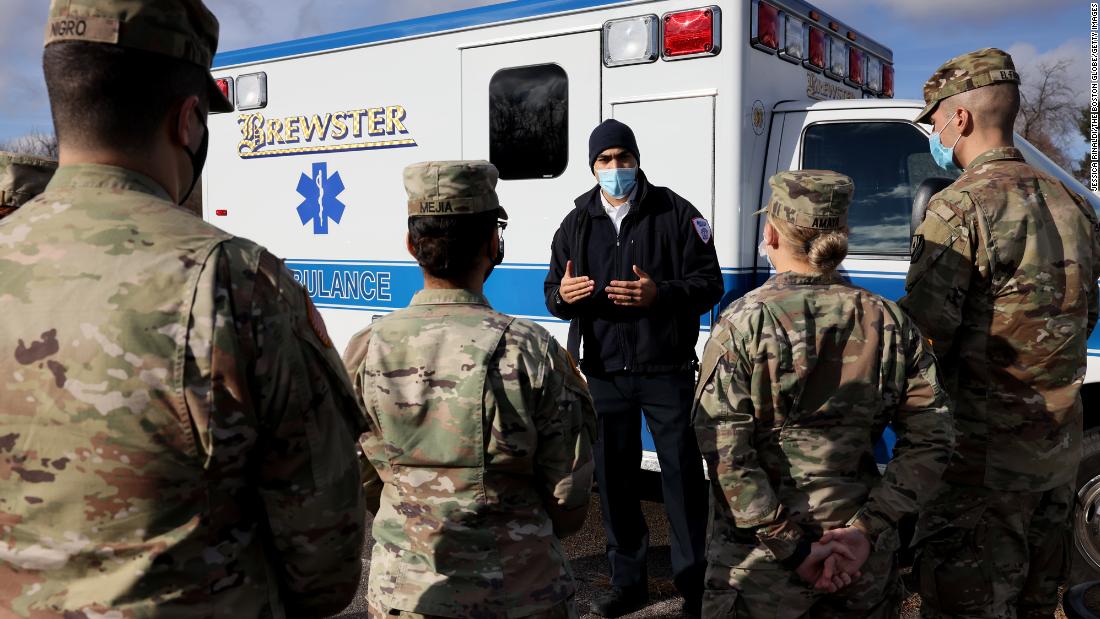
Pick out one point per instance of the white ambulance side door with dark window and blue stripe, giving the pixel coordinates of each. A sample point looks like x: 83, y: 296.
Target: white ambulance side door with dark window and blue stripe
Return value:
x: 529, y: 107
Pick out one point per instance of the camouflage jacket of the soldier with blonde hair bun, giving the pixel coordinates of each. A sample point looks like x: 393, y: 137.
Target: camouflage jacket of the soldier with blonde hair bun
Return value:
x: 799, y: 380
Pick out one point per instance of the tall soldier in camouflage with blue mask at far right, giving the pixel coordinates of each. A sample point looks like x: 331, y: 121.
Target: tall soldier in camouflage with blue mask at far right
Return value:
x: 1004, y: 283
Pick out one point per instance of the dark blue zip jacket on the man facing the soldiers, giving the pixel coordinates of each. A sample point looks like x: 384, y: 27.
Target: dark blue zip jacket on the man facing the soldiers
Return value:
x: 662, y: 238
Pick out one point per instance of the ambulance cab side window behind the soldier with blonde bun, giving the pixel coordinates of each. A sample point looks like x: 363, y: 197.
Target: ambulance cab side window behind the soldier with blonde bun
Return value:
x: 887, y: 161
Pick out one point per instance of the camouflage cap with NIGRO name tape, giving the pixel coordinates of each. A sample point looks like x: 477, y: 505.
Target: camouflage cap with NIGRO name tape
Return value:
x: 181, y: 29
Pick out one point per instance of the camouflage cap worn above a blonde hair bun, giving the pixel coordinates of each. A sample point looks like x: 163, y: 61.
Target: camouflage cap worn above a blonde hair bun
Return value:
x: 811, y: 198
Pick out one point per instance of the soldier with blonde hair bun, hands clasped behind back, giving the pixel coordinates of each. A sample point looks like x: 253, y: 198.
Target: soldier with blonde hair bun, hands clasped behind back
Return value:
x: 799, y: 380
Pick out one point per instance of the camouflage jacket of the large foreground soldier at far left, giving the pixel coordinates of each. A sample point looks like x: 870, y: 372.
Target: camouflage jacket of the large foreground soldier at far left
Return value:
x: 178, y: 437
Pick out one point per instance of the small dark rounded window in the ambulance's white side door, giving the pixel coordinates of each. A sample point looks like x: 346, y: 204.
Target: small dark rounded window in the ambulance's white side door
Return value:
x: 529, y: 121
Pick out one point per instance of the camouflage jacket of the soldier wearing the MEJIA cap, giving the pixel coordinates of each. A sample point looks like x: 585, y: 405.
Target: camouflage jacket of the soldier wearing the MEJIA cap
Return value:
x: 478, y: 422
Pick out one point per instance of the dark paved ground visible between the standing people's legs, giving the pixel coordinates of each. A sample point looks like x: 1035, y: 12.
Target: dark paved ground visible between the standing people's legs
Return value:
x: 587, y: 552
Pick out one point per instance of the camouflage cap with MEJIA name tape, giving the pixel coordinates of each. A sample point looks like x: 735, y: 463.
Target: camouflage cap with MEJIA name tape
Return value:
x: 447, y: 189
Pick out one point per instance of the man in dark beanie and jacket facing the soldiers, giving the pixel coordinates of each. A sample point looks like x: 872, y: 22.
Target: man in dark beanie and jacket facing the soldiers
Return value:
x: 633, y: 268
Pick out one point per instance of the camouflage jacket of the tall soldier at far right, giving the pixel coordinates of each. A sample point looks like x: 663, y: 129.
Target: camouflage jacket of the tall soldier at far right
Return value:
x: 1004, y: 282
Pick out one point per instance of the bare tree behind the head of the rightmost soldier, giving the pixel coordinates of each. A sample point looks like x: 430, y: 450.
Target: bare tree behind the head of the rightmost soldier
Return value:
x: 1049, y: 112
